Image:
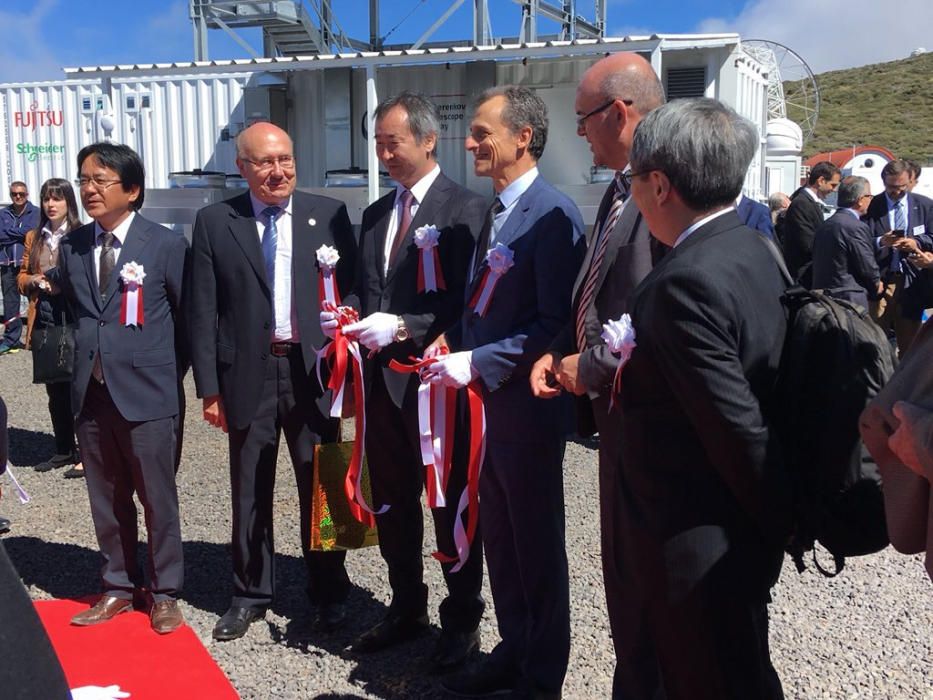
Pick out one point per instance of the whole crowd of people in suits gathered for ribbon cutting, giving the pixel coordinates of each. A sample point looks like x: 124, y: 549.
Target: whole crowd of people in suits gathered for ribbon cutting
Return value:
x: 508, y: 303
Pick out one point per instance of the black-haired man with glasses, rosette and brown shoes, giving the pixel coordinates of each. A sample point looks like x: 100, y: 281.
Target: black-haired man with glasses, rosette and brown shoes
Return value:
x: 130, y: 353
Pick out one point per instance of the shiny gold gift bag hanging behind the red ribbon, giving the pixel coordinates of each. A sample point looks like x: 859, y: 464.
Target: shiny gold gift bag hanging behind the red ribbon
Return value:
x: 333, y: 526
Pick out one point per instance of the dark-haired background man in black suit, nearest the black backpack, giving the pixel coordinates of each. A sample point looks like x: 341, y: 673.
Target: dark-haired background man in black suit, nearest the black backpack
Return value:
x: 805, y: 215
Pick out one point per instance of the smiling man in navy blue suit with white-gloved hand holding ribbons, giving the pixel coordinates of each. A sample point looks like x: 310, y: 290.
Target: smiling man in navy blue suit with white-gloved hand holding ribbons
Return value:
x: 521, y: 486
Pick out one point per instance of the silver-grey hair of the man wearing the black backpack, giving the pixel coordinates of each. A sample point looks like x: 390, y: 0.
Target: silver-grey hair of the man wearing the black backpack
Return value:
x: 701, y: 145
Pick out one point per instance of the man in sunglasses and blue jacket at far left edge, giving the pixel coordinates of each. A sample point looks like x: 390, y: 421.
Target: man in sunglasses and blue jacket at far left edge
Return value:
x: 15, y: 220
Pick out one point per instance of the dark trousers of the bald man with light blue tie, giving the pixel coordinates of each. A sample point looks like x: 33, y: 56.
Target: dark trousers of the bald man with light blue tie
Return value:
x: 287, y: 405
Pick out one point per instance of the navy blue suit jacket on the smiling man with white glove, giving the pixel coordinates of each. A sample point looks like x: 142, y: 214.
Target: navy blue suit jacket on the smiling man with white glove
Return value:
x: 530, y: 306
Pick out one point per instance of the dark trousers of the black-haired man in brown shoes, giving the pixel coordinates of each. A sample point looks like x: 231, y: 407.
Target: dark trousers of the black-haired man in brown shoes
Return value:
x: 122, y: 457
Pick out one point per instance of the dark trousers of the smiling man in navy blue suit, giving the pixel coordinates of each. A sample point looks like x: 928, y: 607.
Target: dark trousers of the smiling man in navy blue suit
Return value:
x: 522, y: 509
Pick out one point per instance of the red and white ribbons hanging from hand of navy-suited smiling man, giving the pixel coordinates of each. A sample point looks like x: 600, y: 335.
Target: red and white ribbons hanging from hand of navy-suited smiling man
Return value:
x: 436, y: 423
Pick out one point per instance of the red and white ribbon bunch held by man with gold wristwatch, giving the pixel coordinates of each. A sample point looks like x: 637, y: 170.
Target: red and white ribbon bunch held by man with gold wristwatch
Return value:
x: 344, y: 360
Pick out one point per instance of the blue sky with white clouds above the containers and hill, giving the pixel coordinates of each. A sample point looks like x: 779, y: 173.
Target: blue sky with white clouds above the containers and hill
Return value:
x: 42, y: 36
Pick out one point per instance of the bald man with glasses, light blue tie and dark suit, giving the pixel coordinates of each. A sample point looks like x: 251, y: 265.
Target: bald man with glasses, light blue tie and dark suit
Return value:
x: 253, y: 312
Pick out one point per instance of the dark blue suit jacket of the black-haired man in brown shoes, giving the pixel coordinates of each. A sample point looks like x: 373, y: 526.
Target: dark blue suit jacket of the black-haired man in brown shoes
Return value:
x: 141, y: 365
